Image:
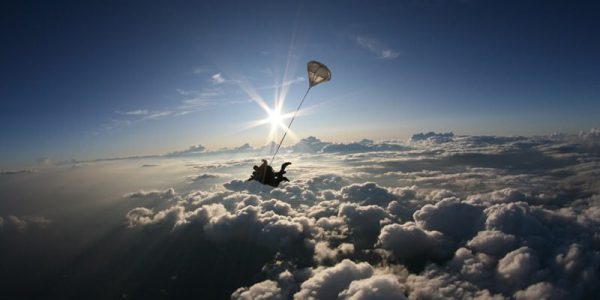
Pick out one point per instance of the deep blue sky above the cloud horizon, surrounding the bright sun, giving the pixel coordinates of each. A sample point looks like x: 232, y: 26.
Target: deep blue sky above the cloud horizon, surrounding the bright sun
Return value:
x: 89, y: 80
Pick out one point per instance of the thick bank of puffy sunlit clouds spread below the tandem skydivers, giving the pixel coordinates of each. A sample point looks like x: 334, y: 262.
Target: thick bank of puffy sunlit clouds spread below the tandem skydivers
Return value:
x: 452, y: 216
